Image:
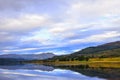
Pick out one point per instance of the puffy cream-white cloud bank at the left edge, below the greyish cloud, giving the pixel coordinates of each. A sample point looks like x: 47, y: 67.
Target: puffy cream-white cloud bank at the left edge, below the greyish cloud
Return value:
x: 23, y: 23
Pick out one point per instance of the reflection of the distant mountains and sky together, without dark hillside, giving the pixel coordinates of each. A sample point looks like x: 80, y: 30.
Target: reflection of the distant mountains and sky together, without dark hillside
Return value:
x: 37, y: 72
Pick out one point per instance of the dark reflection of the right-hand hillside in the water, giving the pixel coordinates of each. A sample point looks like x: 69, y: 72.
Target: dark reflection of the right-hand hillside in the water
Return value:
x: 102, y: 72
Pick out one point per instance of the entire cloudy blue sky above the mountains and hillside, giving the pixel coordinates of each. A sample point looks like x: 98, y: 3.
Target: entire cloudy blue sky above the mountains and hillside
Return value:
x: 57, y: 26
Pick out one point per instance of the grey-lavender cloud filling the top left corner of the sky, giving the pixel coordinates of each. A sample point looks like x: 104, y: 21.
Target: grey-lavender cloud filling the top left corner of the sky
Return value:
x: 17, y: 5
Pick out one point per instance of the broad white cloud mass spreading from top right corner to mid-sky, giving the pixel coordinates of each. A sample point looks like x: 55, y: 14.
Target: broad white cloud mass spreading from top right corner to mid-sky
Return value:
x: 83, y: 16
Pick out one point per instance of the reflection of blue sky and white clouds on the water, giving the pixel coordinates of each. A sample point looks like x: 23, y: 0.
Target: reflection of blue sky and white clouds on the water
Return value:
x: 57, y: 74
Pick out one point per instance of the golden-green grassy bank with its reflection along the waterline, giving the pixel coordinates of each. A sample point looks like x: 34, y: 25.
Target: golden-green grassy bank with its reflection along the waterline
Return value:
x: 92, y: 62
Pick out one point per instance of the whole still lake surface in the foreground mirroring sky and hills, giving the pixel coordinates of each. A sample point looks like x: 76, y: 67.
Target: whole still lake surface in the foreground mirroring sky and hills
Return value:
x: 41, y: 72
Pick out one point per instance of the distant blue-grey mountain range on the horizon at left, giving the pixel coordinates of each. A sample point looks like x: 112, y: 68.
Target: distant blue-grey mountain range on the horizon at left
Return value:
x: 28, y: 56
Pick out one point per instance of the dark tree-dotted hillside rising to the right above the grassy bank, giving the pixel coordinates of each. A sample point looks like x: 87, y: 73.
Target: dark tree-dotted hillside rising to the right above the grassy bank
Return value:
x: 111, y: 49
